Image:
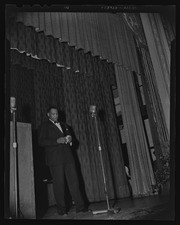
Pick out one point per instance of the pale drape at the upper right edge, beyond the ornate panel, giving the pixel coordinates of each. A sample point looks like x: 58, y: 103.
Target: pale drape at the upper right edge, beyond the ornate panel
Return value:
x: 159, y: 52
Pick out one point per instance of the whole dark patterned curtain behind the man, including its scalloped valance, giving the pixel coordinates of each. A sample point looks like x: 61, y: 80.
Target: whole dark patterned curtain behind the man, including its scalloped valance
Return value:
x: 72, y: 80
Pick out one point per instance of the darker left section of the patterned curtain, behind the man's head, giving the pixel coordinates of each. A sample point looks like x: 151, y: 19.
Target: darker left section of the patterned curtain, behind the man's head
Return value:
x: 36, y: 84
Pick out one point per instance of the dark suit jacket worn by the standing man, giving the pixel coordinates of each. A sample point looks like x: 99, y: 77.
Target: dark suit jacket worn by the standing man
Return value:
x: 55, y: 153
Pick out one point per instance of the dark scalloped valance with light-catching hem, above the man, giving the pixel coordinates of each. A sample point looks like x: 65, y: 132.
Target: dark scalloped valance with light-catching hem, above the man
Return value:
x: 38, y: 46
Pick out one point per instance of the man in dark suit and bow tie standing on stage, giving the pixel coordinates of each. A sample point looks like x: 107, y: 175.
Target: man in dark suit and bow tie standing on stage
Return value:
x: 54, y: 136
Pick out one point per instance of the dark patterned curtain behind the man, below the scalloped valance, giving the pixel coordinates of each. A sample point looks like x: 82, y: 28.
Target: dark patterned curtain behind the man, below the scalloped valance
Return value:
x: 36, y: 84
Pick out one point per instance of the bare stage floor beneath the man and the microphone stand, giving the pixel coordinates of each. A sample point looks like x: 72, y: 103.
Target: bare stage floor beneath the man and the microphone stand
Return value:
x: 146, y: 208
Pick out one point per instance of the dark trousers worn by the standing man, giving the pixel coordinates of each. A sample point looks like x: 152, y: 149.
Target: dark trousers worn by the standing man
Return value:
x: 59, y: 173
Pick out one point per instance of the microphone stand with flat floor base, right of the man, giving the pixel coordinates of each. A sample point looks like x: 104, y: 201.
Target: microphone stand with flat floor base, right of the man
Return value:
x: 109, y: 210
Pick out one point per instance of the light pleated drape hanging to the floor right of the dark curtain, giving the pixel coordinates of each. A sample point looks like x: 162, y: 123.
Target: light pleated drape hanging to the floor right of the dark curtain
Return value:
x: 142, y: 177
